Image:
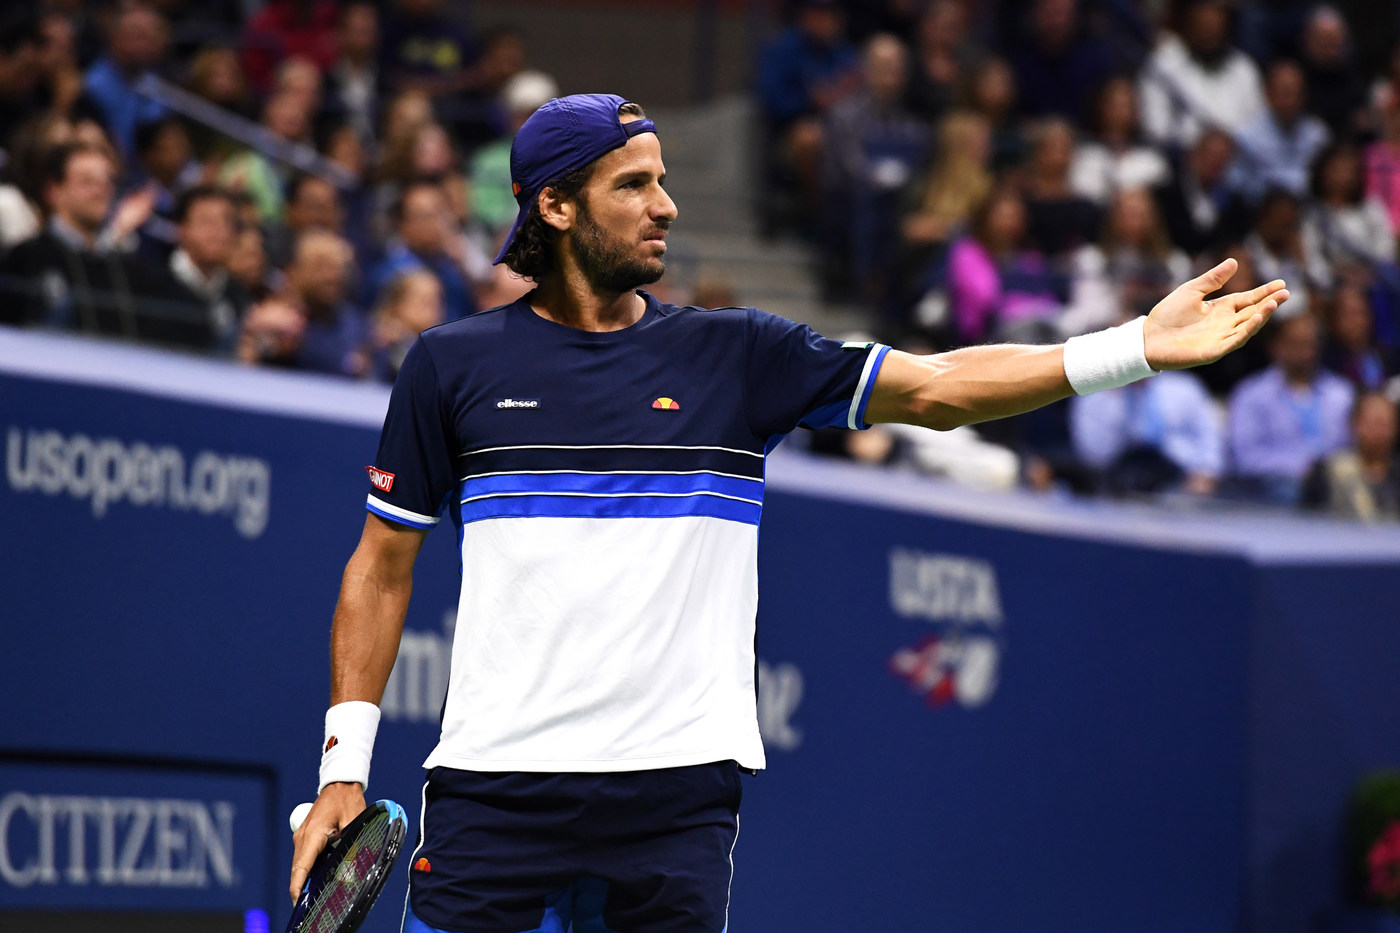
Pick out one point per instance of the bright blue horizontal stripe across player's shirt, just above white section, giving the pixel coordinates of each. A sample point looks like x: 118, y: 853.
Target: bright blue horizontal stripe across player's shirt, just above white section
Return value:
x: 611, y: 506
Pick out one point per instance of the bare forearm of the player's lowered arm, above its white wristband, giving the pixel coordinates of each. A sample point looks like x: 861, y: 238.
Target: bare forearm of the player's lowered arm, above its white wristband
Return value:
x: 369, y: 624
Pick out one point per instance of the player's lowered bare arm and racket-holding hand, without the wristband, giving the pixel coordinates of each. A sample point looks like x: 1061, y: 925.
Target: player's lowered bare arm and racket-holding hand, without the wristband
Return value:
x: 365, y: 644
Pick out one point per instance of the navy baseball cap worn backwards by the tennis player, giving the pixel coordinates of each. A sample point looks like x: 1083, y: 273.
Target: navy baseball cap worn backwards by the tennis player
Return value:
x: 562, y: 138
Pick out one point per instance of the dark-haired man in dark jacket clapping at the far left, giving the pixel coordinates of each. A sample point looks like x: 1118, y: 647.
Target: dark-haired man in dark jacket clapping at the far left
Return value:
x: 78, y: 274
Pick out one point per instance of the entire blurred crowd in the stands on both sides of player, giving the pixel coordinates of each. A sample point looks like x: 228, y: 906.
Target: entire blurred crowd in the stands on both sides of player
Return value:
x: 310, y: 184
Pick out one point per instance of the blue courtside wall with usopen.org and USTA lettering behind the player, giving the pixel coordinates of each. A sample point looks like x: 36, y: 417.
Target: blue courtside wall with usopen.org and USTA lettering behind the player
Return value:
x: 981, y: 712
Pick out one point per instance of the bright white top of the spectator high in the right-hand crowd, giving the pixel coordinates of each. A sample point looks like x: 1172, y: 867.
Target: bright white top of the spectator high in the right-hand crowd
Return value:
x: 1230, y: 96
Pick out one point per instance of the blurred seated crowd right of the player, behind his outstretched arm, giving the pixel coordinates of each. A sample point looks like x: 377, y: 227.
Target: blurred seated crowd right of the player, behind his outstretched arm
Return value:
x: 1030, y: 172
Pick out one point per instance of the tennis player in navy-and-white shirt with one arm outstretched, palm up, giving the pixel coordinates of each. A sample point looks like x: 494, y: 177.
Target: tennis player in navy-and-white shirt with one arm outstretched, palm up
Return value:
x: 601, y: 455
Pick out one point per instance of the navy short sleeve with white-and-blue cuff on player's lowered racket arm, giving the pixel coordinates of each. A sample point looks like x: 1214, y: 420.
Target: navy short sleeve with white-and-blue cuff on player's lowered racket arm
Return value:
x: 414, y: 470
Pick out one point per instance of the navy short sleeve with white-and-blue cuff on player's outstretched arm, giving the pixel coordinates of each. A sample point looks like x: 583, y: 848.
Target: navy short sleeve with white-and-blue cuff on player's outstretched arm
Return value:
x: 796, y: 376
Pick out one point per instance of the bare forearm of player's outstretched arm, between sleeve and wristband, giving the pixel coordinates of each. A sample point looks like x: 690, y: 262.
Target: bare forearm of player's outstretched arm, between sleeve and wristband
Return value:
x: 974, y: 385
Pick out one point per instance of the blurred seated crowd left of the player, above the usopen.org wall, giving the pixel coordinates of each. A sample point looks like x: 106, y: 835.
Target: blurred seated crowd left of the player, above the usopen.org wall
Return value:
x: 307, y: 186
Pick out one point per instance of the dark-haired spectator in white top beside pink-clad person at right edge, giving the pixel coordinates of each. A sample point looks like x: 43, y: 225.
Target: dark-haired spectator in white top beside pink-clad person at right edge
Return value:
x: 1343, y: 223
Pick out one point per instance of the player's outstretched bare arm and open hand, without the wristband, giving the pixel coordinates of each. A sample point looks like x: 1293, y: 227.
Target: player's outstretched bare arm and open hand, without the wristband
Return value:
x: 983, y: 383
